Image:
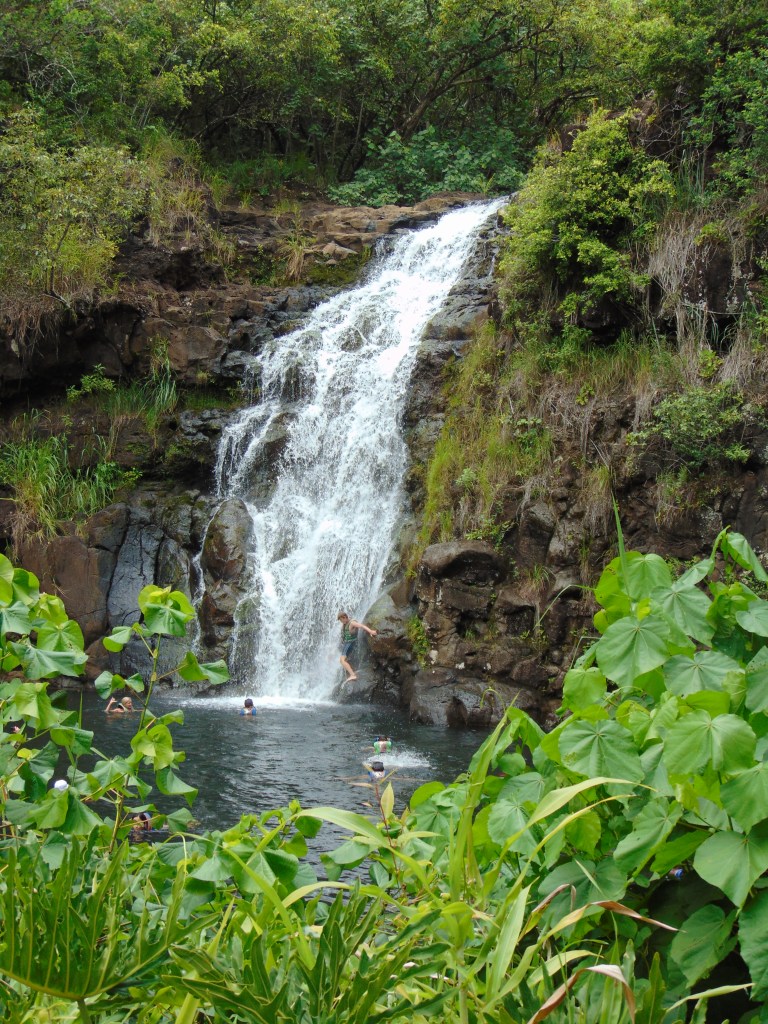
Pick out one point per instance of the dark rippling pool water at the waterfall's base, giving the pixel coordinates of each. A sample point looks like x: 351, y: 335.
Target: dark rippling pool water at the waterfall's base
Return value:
x: 312, y: 753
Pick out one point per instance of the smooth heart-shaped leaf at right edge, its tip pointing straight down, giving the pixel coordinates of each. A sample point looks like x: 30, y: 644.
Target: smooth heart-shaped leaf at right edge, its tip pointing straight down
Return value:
x: 734, y: 863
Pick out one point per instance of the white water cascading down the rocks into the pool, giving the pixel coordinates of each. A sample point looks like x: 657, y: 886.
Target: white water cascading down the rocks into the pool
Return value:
x: 336, y: 389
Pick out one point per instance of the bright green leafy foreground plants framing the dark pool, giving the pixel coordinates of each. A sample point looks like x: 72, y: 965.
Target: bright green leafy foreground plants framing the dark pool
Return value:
x: 613, y: 870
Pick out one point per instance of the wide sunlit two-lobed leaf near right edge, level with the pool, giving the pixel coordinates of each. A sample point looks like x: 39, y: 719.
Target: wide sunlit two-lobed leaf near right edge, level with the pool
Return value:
x: 697, y: 741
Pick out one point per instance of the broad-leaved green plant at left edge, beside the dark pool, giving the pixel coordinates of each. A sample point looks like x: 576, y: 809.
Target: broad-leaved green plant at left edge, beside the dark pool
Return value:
x: 44, y: 739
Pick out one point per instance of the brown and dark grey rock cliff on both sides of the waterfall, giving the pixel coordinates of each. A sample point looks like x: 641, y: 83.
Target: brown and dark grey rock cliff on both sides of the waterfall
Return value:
x: 476, y: 626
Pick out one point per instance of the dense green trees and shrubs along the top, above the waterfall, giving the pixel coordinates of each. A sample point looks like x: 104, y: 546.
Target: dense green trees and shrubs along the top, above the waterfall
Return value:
x: 116, y: 112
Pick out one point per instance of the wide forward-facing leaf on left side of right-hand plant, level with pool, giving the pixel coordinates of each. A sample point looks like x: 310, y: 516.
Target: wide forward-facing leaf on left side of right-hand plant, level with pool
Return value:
x: 601, y: 748
